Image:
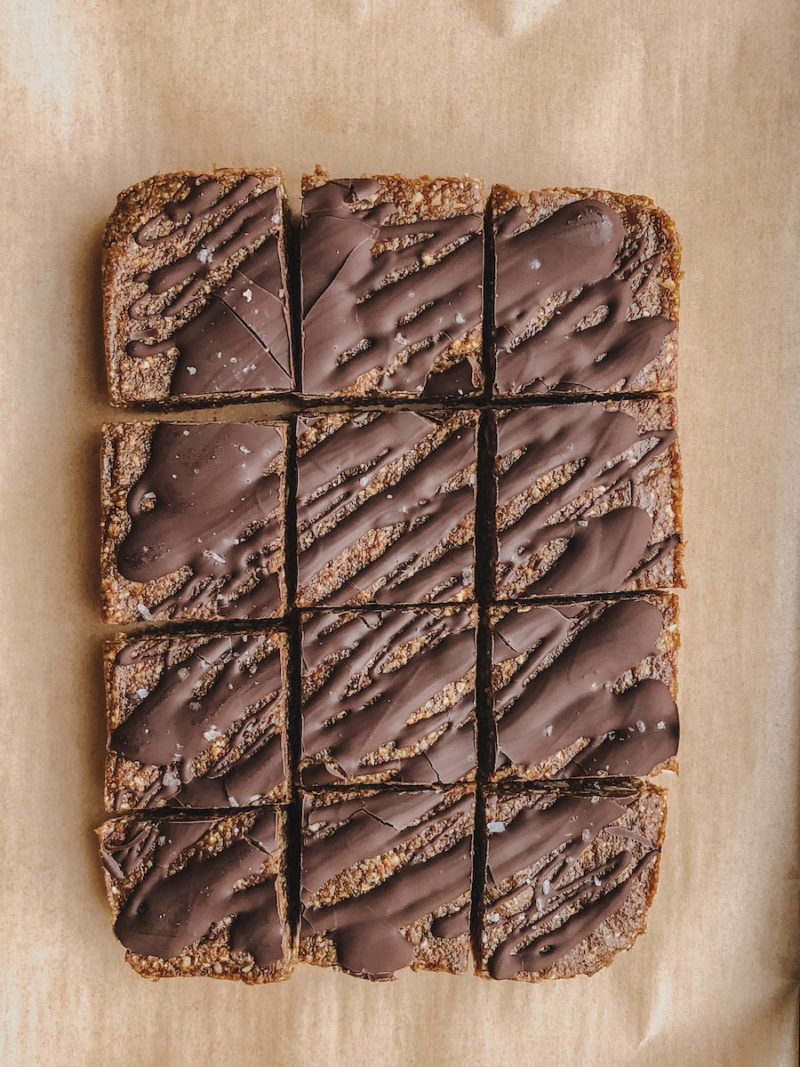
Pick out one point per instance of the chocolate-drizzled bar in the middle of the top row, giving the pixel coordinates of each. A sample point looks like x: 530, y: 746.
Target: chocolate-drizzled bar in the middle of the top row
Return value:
x: 392, y: 286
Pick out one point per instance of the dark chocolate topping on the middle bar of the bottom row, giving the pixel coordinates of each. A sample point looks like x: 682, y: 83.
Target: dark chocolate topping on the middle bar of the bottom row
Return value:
x: 367, y: 929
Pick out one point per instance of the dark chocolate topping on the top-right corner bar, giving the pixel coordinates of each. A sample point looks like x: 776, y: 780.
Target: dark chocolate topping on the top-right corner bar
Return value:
x: 590, y: 343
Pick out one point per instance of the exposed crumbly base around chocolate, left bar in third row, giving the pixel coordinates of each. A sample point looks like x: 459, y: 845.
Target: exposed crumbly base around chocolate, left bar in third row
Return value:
x: 126, y: 779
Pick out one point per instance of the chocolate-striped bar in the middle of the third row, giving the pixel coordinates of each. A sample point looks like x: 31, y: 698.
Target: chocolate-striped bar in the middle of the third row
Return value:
x: 389, y: 696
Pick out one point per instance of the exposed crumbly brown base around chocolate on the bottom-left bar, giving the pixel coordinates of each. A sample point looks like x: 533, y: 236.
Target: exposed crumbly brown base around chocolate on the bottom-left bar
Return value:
x: 210, y: 957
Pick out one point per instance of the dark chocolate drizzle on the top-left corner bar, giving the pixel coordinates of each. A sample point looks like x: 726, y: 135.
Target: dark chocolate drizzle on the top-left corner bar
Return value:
x: 237, y: 338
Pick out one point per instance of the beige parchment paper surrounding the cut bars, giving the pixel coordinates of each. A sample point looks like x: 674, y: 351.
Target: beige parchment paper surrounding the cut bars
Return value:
x: 692, y: 103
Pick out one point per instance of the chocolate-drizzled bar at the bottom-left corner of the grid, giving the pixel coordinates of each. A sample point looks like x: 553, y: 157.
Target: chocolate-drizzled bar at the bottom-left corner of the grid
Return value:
x: 202, y: 897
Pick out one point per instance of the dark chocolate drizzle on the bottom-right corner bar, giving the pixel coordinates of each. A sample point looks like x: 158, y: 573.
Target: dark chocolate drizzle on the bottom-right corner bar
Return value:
x: 570, y: 894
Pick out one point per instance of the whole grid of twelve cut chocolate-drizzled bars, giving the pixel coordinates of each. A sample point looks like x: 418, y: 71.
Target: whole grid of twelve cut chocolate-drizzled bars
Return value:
x: 410, y: 658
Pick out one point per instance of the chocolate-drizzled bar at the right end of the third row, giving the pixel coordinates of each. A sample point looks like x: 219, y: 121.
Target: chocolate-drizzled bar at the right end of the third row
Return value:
x: 586, y: 689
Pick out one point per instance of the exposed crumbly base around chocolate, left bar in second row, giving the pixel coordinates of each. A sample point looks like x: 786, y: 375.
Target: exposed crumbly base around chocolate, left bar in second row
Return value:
x: 125, y: 454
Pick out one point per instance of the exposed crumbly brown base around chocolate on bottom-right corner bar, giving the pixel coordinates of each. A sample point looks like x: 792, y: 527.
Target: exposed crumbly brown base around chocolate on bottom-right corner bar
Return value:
x: 620, y: 931
